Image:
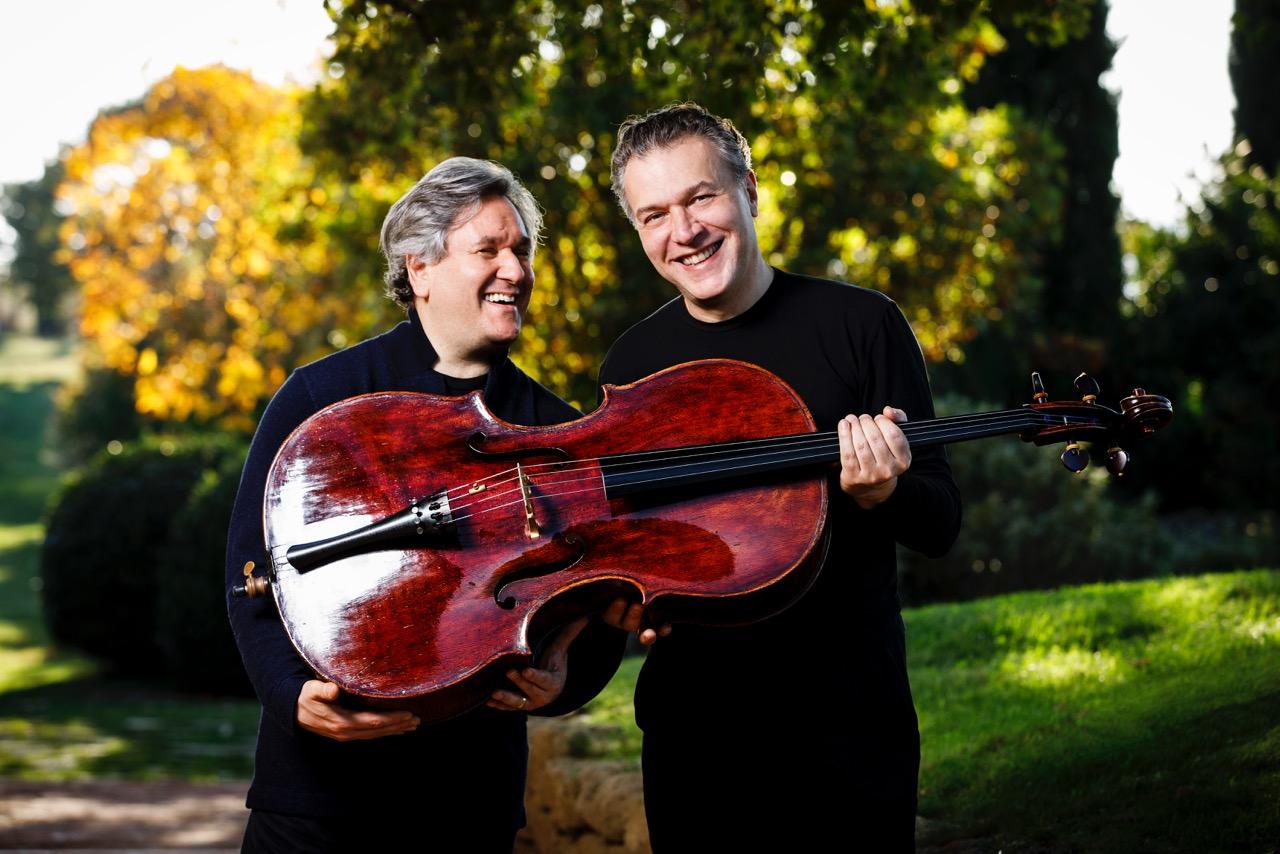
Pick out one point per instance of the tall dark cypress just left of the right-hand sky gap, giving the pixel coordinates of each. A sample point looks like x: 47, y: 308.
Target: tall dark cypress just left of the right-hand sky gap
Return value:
x: 1072, y: 325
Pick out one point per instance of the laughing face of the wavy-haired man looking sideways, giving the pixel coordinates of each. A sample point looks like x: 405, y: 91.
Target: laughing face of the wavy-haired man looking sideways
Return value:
x: 472, y: 302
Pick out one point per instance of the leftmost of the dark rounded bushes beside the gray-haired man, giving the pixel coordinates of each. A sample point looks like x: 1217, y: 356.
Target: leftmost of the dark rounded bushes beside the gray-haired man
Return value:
x: 104, y: 540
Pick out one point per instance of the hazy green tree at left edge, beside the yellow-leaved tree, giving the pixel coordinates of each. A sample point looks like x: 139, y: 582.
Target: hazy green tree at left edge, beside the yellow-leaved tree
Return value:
x: 40, y: 277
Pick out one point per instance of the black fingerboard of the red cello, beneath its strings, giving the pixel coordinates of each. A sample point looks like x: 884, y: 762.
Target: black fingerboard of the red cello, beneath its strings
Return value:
x: 673, y: 468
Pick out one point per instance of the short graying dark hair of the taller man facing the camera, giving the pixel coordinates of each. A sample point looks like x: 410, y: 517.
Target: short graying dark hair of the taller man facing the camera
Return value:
x: 641, y: 135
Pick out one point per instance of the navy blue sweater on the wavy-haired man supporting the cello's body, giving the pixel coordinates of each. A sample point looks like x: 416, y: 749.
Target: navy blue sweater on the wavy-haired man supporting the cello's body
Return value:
x: 473, y: 765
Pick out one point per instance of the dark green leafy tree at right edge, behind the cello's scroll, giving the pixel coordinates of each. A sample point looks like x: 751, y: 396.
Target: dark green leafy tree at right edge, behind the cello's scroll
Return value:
x: 1208, y: 334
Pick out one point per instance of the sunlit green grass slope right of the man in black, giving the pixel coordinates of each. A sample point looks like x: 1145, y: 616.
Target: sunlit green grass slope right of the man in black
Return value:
x: 1137, y: 716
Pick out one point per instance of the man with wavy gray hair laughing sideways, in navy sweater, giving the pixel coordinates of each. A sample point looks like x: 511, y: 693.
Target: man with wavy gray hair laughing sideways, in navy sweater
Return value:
x: 459, y: 249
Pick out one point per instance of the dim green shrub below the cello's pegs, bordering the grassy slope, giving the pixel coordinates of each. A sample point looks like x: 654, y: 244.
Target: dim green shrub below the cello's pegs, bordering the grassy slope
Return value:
x: 1030, y: 524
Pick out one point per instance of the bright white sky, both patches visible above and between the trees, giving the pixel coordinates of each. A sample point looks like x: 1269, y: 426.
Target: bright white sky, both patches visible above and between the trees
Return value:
x: 62, y: 61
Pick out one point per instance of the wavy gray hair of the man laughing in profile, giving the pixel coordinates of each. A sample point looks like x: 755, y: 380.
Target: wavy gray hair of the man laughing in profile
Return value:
x: 442, y: 200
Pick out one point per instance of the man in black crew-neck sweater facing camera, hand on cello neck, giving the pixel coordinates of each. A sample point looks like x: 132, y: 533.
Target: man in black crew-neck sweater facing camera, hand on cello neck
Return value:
x: 798, y: 732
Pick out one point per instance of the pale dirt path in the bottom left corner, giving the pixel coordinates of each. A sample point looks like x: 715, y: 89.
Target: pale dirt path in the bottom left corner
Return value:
x: 122, y: 816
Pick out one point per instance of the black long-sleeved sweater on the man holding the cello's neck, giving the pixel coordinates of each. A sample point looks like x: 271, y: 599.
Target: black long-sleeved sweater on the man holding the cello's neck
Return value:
x: 844, y: 350
